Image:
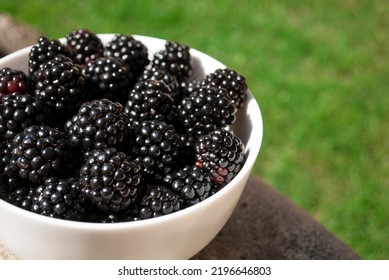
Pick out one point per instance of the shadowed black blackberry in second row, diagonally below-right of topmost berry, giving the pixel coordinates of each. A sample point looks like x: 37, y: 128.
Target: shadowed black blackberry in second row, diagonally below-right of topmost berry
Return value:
x: 108, y: 77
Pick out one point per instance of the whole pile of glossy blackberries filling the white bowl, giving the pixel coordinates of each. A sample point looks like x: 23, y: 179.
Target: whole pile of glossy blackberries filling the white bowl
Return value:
x: 110, y: 133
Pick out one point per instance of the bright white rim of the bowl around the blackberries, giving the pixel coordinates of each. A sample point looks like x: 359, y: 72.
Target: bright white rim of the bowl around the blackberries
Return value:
x: 81, y: 225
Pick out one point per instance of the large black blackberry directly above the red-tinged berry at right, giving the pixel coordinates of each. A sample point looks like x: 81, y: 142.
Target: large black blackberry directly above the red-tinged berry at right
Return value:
x: 205, y: 110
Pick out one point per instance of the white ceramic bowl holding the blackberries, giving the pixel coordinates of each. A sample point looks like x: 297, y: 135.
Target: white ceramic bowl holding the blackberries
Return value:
x: 176, y: 236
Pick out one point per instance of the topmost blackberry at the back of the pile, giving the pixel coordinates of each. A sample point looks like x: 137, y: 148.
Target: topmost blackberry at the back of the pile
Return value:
x: 85, y: 44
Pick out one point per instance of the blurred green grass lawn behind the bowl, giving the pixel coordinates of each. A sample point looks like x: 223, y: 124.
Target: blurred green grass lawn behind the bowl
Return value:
x: 319, y: 71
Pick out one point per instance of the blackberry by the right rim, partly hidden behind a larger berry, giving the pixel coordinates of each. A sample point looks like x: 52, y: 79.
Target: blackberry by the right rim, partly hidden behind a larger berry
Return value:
x: 231, y: 81
